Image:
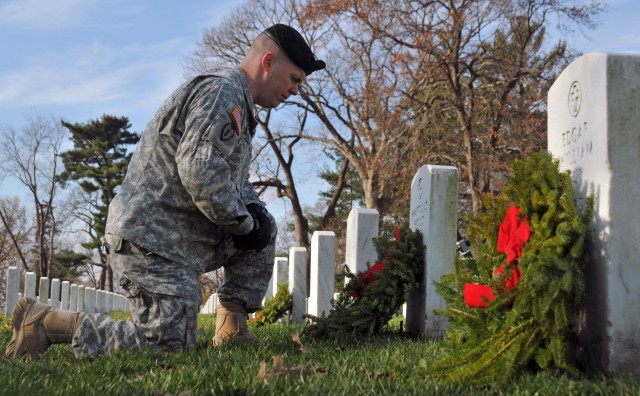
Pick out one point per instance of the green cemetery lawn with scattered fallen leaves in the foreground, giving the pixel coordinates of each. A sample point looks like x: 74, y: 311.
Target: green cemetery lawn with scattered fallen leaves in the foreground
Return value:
x: 383, y: 365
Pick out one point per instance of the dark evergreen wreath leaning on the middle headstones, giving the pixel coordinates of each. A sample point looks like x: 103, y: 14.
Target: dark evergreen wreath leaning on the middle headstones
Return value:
x: 372, y: 297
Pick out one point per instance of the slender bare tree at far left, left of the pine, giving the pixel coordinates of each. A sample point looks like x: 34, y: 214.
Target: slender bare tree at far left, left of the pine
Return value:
x: 30, y: 155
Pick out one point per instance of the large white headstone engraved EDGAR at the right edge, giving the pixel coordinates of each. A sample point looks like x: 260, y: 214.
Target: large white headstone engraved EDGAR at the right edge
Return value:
x: 593, y: 123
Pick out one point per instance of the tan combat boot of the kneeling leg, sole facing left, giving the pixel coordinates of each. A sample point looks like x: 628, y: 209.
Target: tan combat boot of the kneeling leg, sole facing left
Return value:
x: 36, y: 326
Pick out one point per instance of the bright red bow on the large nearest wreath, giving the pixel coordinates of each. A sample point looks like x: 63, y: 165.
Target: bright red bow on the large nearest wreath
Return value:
x: 512, y: 236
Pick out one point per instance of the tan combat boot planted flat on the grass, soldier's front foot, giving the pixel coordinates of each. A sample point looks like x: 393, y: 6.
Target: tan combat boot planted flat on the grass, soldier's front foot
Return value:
x: 231, y: 323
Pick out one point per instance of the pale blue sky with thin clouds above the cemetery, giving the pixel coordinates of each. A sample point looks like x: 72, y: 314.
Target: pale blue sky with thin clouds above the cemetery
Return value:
x: 79, y: 59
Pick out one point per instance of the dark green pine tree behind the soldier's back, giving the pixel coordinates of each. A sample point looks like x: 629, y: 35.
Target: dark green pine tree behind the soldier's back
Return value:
x: 99, y: 163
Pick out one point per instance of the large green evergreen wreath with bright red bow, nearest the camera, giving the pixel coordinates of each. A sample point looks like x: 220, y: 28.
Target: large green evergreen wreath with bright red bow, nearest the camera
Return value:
x: 508, y: 317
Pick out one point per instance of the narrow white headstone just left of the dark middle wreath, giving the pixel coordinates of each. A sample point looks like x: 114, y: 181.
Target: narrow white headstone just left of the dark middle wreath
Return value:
x: 323, y: 271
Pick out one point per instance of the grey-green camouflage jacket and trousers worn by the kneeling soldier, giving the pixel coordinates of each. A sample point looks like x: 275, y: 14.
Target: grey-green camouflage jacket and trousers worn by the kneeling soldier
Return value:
x: 184, y: 195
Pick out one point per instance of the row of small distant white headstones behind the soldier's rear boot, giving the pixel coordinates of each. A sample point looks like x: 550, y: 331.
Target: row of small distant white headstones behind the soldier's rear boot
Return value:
x: 62, y: 295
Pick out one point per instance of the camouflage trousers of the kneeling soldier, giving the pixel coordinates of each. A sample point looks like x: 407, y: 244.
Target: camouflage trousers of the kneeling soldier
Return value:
x: 165, y: 297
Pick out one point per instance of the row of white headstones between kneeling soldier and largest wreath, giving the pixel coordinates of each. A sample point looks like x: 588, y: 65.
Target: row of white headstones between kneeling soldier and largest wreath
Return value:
x: 434, y: 194
